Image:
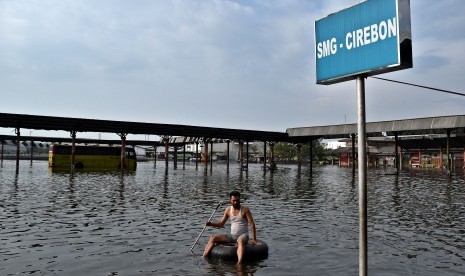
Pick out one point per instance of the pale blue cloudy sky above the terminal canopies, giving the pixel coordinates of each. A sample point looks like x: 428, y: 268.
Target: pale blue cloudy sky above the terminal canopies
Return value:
x: 217, y: 63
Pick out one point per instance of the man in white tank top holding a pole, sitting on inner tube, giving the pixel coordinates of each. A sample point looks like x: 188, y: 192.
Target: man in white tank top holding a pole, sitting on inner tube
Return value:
x: 240, y: 217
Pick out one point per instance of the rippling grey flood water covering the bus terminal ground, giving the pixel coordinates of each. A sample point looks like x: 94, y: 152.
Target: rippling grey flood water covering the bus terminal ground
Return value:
x: 144, y: 222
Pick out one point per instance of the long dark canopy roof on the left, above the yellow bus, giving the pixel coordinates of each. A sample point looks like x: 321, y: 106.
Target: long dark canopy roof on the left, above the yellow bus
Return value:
x: 91, y: 125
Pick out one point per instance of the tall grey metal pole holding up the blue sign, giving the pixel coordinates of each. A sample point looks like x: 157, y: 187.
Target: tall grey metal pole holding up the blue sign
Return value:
x: 362, y: 177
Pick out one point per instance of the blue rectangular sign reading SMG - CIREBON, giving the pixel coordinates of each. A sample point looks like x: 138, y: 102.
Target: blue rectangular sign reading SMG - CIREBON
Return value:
x: 370, y: 38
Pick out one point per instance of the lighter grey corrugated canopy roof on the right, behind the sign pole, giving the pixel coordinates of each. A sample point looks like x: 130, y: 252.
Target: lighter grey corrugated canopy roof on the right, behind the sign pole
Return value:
x: 418, y: 126
